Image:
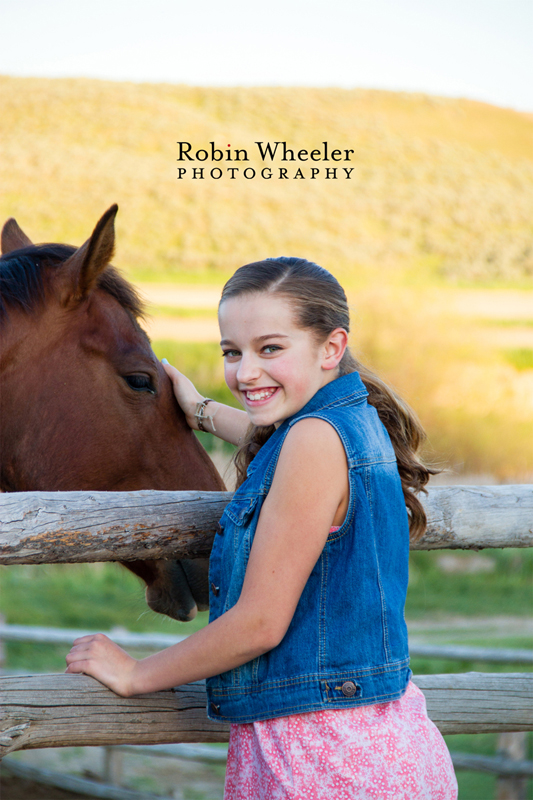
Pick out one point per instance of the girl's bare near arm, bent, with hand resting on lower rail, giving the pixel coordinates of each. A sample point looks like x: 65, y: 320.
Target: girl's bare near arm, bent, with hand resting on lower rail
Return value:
x: 309, y: 494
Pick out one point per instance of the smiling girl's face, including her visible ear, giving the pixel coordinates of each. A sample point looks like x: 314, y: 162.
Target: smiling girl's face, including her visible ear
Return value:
x: 272, y: 366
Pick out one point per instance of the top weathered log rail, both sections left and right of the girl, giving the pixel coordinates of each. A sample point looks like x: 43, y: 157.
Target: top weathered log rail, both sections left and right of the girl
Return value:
x: 61, y: 527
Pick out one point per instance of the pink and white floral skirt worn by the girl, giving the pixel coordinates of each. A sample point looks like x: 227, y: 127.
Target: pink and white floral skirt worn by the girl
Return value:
x: 390, y: 751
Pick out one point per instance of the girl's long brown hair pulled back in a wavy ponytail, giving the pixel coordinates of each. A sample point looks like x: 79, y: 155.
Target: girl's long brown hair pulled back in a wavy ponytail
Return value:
x: 320, y: 306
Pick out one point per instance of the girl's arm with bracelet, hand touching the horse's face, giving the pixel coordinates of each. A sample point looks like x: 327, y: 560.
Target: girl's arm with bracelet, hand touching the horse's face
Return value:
x: 231, y: 424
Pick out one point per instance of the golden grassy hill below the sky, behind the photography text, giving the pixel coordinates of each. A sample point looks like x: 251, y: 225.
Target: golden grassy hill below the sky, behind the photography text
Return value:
x: 441, y: 187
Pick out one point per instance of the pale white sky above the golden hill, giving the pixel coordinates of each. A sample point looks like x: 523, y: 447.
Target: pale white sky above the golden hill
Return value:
x: 479, y: 49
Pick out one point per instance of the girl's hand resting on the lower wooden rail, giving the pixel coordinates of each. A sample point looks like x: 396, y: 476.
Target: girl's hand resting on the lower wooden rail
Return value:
x: 98, y: 656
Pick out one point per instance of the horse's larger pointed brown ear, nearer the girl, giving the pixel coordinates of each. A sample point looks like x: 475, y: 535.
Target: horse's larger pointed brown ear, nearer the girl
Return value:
x: 80, y: 272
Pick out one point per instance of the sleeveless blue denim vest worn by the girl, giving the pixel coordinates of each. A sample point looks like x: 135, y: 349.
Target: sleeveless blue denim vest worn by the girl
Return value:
x: 347, y: 642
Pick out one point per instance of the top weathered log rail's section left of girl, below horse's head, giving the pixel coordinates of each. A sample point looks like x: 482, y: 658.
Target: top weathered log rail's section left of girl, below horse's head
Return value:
x: 68, y: 527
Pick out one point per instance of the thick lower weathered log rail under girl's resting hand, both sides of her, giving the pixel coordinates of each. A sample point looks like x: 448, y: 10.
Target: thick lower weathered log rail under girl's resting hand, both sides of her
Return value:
x: 65, y: 710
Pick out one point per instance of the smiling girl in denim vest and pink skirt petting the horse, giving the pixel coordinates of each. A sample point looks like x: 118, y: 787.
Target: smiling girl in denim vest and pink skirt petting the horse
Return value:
x: 306, y: 650
